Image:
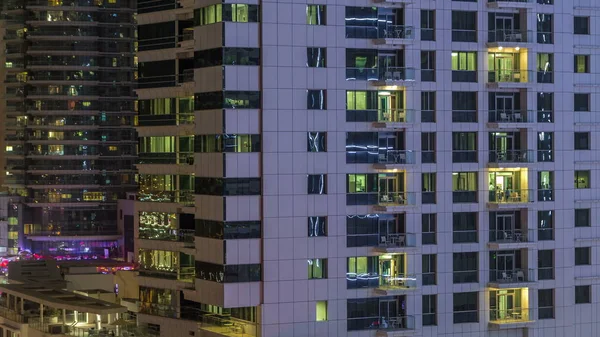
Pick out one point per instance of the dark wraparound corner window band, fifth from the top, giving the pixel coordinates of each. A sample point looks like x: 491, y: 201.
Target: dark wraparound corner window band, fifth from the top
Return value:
x: 228, y: 186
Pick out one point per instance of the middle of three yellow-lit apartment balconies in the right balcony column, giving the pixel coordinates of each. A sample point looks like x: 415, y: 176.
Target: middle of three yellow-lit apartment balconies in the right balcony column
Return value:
x: 508, y: 185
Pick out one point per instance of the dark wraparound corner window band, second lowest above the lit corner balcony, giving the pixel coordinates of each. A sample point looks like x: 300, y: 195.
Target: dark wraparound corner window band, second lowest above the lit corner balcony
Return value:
x: 230, y: 230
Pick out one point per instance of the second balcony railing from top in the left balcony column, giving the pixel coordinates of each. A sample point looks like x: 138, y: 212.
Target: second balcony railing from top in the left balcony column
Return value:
x: 381, y: 76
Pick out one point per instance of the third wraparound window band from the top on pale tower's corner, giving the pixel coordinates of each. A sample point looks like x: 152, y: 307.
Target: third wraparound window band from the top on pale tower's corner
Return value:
x: 227, y: 100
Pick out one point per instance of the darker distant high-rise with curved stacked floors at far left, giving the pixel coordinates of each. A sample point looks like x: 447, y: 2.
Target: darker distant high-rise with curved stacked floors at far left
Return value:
x: 67, y: 121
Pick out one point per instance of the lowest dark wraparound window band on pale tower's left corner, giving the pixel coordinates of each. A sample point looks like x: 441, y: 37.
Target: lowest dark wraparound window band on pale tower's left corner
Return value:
x: 228, y: 273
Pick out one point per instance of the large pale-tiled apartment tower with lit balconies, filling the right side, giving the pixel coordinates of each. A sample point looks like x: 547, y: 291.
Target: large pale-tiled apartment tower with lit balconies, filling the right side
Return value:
x: 369, y: 168
